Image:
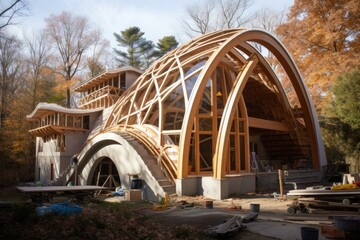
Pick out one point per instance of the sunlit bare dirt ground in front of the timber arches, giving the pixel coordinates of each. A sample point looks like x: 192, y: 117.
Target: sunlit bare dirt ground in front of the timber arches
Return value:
x: 273, y: 221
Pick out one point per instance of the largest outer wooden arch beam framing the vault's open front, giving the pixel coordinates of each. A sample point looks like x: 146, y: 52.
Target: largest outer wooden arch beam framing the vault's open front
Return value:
x: 288, y: 64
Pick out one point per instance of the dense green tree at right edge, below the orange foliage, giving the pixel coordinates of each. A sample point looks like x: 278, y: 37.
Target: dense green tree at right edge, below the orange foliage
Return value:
x: 341, y: 126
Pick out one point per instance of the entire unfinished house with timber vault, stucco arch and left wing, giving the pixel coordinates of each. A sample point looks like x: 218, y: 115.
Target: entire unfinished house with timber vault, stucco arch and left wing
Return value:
x: 208, y: 118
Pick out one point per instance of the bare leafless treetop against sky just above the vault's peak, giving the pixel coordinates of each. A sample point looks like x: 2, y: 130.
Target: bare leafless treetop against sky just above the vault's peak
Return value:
x: 210, y: 15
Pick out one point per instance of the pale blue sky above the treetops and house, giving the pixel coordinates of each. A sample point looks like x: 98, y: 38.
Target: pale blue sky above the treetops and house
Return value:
x: 157, y: 18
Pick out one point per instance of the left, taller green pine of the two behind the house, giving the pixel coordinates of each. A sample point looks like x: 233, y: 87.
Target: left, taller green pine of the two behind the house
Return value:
x: 137, y: 48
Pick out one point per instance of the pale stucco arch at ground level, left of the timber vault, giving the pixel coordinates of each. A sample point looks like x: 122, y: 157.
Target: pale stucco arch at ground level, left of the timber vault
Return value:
x: 126, y: 159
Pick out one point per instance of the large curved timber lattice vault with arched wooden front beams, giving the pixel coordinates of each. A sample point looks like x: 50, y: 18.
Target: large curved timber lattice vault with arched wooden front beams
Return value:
x: 202, y: 104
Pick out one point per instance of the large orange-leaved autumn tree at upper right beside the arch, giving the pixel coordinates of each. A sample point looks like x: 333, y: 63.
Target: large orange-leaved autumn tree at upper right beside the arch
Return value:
x: 323, y: 38
